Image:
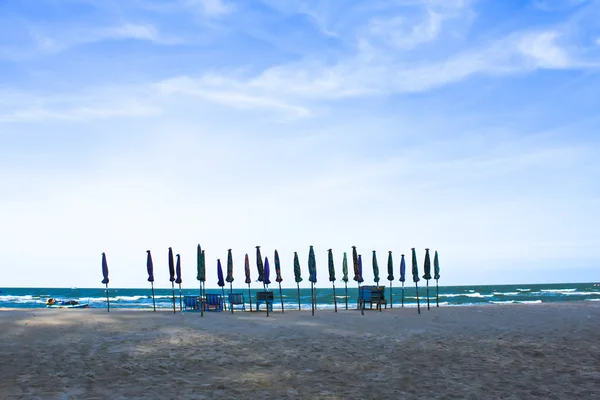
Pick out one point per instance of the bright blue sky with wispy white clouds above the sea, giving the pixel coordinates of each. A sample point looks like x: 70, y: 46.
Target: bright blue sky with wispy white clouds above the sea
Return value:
x: 467, y: 127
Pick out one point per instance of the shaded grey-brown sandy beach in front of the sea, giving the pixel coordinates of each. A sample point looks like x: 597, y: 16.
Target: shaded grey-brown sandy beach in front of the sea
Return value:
x: 546, y: 351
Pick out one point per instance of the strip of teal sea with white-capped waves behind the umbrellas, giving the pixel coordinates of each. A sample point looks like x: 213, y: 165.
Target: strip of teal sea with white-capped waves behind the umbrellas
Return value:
x: 448, y: 295
